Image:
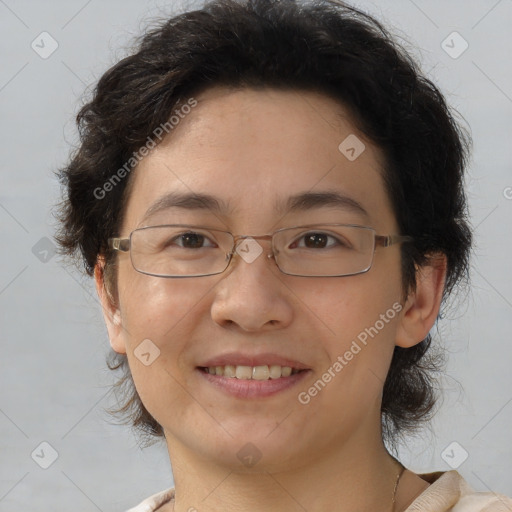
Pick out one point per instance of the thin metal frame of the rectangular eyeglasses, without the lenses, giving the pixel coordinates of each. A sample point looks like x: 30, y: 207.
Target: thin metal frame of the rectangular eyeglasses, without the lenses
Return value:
x: 124, y: 245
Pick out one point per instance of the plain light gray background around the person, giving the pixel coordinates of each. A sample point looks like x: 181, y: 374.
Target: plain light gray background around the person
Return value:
x: 53, y: 376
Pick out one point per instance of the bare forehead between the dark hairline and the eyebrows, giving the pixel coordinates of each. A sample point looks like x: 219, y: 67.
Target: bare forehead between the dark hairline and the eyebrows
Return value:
x: 255, y: 151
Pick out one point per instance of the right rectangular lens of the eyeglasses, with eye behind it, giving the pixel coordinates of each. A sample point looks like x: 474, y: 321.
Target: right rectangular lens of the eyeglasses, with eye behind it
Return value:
x: 325, y: 250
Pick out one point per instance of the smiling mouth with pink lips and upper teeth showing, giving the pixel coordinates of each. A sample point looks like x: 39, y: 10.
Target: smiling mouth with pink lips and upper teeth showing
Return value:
x: 252, y: 377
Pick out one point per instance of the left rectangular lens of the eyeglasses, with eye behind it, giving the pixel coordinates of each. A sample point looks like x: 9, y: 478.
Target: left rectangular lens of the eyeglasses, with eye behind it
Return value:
x: 180, y: 250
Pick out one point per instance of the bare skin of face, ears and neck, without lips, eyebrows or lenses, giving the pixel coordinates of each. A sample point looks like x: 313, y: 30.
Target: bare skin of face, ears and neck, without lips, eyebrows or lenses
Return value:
x: 251, y: 147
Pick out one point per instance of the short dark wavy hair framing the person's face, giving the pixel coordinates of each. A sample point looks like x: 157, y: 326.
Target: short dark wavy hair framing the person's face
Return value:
x: 324, y: 46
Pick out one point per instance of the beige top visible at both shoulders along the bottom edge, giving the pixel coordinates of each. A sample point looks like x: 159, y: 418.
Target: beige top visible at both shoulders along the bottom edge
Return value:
x: 447, y: 492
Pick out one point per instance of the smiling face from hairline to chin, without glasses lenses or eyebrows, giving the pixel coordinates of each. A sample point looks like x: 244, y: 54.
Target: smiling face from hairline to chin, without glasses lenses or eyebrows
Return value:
x: 253, y: 150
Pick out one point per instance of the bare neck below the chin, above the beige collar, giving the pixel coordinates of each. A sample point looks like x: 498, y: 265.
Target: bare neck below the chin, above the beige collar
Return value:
x: 360, y: 475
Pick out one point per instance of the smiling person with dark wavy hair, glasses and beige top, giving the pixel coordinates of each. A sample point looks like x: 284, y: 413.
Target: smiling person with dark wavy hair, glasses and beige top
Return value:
x: 269, y: 196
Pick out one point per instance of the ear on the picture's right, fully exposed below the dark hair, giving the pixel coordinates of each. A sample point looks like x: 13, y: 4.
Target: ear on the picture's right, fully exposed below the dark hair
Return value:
x: 422, y: 305
